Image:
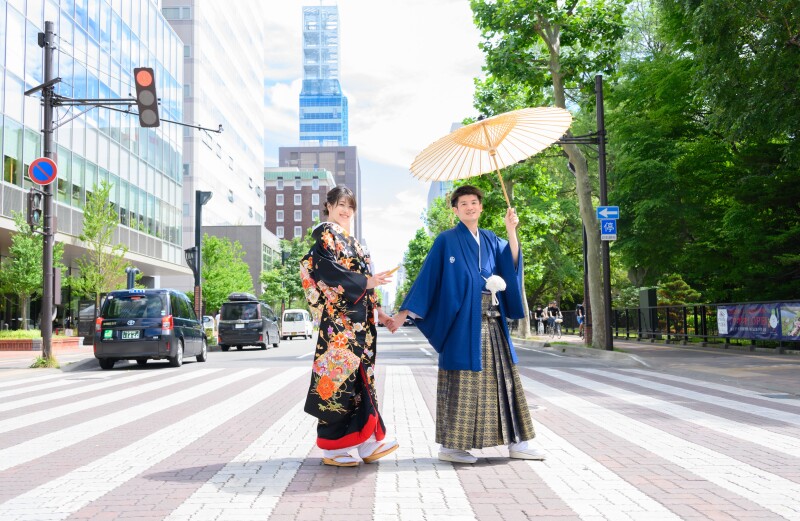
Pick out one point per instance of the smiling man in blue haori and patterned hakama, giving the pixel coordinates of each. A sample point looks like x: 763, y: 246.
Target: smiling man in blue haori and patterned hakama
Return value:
x: 470, y: 282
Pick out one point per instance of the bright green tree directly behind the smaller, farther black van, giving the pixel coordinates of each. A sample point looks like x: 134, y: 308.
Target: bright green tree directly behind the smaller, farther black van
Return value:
x: 224, y: 270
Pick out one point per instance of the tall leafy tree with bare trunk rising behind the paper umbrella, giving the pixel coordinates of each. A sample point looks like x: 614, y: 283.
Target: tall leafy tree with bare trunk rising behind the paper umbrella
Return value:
x: 555, y: 47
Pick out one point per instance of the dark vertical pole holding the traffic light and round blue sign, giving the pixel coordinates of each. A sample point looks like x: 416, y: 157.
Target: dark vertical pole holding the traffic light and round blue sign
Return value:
x: 46, y: 41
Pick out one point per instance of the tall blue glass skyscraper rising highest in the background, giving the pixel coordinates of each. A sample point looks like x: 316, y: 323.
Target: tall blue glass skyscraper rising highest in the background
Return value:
x: 323, y: 108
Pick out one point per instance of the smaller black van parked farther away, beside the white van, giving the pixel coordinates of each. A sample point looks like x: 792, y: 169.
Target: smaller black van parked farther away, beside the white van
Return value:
x: 245, y: 321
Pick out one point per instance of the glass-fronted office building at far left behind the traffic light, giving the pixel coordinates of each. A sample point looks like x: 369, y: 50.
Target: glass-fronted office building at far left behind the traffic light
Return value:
x: 98, y: 43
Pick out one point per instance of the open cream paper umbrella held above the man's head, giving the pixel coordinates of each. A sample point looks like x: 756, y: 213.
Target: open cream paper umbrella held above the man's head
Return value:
x: 491, y: 144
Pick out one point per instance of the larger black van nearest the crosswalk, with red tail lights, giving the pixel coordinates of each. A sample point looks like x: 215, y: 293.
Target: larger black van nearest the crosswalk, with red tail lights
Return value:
x: 142, y: 324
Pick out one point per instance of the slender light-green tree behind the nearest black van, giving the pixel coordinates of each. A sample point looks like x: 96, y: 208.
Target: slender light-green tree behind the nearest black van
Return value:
x: 102, y: 267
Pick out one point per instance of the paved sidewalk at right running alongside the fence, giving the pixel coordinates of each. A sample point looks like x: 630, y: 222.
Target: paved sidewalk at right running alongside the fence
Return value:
x: 762, y: 369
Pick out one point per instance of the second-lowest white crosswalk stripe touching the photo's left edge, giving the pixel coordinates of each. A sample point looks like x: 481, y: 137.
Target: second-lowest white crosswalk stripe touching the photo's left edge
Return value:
x: 53, y: 441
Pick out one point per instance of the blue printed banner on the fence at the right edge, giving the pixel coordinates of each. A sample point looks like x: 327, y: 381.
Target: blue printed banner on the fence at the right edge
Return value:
x: 774, y: 321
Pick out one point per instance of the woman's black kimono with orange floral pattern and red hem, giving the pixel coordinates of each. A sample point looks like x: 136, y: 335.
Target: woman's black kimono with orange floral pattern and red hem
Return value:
x: 342, y: 391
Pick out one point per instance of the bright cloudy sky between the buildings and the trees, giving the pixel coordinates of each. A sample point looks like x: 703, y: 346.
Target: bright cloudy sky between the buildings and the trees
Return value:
x: 407, y: 69
